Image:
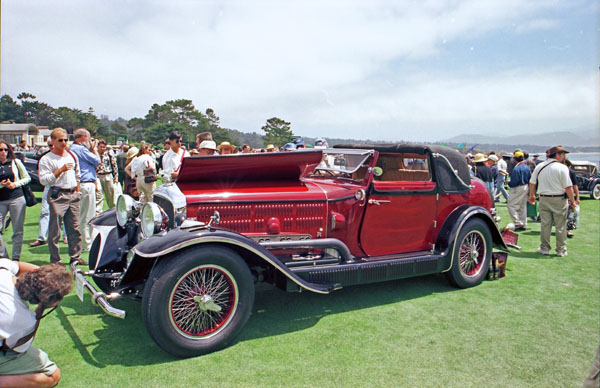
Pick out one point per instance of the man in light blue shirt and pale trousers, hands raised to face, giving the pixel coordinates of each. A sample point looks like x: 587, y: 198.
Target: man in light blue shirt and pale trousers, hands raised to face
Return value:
x: 85, y: 149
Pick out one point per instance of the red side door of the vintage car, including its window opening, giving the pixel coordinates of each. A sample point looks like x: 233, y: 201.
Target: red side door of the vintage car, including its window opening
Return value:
x: 401, y: 208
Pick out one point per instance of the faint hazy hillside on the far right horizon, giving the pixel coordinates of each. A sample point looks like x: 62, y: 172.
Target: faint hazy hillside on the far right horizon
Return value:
x: 581, y: 138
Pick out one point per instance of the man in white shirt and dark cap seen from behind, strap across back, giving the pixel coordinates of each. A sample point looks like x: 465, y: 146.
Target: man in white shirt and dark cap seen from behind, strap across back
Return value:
x: 553, y: 181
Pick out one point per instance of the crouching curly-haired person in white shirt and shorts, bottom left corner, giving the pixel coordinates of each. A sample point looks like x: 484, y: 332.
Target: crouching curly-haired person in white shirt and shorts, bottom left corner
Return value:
x: 23, y: 365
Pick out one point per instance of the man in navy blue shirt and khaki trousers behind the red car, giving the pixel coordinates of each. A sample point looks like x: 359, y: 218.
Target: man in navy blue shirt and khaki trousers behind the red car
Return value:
x: 519, y: 191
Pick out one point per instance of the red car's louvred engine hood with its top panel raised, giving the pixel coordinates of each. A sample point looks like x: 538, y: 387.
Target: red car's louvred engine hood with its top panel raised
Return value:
x: 247, y: 188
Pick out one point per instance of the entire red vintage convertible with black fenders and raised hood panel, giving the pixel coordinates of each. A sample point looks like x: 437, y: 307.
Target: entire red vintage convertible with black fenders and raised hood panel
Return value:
x: 314, y: 220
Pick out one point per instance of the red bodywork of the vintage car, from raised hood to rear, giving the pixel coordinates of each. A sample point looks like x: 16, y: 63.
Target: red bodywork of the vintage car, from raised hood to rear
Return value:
x: 272, y: 195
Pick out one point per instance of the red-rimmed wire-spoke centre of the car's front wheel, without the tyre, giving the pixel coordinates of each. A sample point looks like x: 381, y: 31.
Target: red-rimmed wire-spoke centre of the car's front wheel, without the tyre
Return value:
x: 203, y: 302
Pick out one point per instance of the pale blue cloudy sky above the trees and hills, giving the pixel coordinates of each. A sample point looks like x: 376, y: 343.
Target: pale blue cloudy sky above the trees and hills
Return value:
x: 383, y: 70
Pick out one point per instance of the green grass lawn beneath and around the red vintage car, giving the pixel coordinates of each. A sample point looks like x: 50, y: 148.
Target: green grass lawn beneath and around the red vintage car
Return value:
x: 538, y: 327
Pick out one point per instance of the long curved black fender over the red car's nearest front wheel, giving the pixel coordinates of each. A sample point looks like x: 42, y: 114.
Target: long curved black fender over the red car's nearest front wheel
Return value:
x: 164, y: 244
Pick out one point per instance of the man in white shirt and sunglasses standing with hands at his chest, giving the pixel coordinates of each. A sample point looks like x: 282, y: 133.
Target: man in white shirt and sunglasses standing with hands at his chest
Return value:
x: 59, y: 169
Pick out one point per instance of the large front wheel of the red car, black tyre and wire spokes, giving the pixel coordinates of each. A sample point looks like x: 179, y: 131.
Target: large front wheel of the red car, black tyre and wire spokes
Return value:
x: 198, y: 300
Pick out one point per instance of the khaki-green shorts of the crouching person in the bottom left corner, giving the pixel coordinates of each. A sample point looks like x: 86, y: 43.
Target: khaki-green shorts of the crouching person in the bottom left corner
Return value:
x: 33, y: 360
